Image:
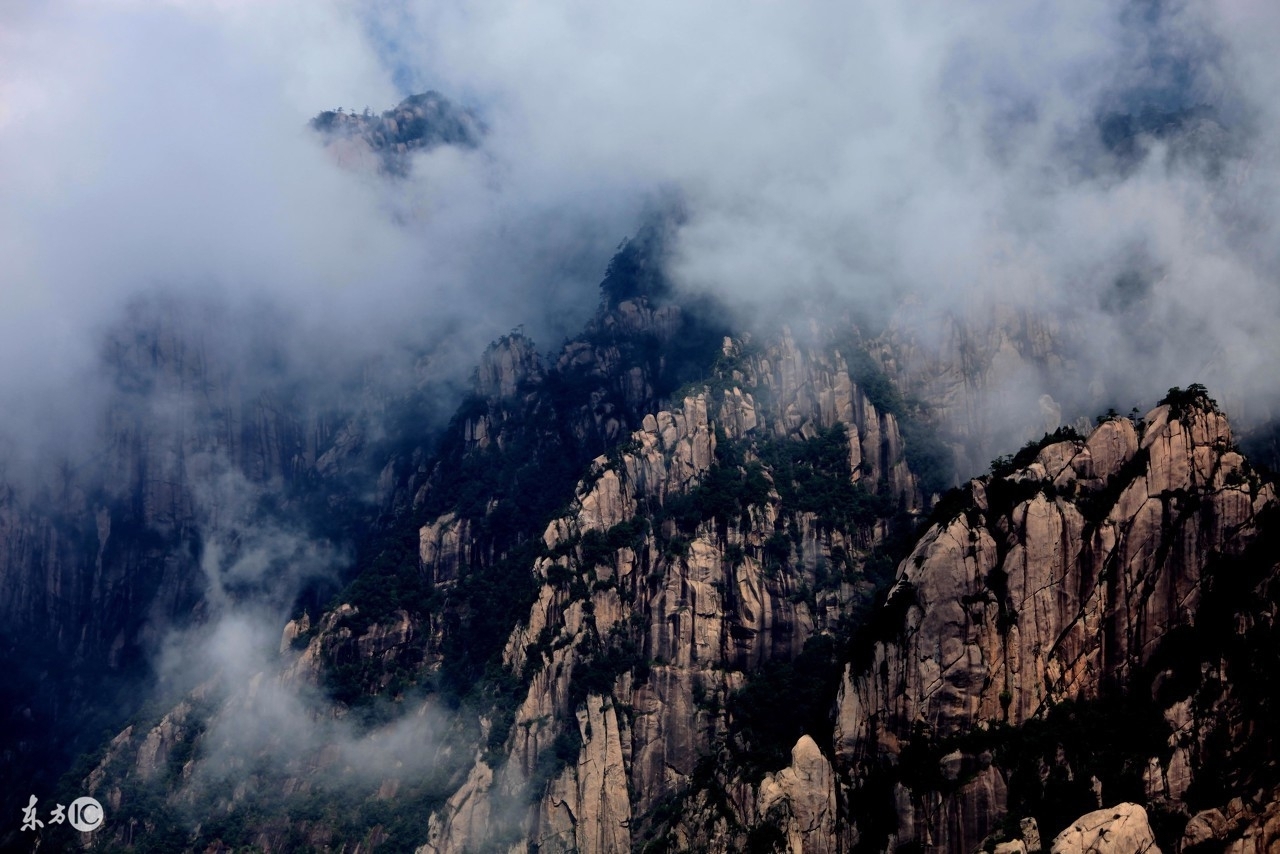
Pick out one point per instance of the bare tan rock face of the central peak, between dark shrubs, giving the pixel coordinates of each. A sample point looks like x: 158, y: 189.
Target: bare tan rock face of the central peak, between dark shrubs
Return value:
x: 703, y: 611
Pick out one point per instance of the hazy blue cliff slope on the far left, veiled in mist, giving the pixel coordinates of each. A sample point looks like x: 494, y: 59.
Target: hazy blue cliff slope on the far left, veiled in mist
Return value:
x: 196, y: 447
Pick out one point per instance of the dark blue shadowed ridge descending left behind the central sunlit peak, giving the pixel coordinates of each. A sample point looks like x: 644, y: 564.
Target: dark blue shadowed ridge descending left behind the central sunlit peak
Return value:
x: 505, y: 465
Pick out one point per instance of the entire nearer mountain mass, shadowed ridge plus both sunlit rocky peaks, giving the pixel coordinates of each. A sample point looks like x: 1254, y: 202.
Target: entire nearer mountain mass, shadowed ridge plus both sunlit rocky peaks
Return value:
x: 680, y: 586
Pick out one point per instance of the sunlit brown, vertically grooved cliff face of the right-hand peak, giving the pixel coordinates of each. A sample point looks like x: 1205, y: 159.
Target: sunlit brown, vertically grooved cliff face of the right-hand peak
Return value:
x: 1035, y: 602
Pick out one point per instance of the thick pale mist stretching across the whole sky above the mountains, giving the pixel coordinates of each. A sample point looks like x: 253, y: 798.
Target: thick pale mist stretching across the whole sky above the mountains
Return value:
x: 959, y: 156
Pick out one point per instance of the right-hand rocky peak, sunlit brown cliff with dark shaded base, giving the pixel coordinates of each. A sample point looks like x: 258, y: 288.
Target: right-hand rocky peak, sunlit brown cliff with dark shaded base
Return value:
x: 1062, y: 637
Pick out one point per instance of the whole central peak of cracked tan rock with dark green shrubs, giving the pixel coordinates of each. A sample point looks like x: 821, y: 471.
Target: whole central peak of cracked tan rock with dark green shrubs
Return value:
x: 728, y: 540
